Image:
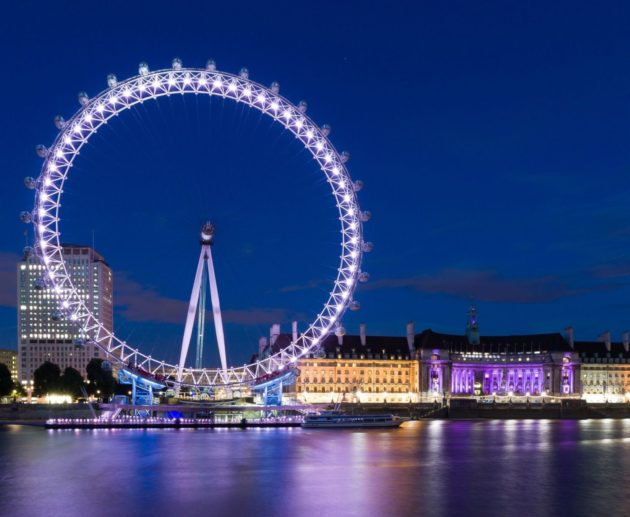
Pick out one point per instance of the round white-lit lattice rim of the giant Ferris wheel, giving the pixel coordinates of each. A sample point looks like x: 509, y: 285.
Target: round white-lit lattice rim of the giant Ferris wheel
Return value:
x: 124, y: 95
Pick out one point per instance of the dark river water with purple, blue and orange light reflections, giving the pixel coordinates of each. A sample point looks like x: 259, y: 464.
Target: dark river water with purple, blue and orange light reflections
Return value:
x: 428, y: 468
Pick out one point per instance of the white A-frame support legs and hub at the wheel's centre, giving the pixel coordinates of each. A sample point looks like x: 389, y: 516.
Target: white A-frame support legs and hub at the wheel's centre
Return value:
x: 205, y: 260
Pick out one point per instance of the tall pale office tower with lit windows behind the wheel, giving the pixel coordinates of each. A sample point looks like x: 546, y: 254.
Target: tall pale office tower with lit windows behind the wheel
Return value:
x: 43, y: 333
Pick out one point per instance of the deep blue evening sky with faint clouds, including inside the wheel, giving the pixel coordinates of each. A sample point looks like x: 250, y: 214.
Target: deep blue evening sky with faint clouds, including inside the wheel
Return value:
x: 491, y: 136
